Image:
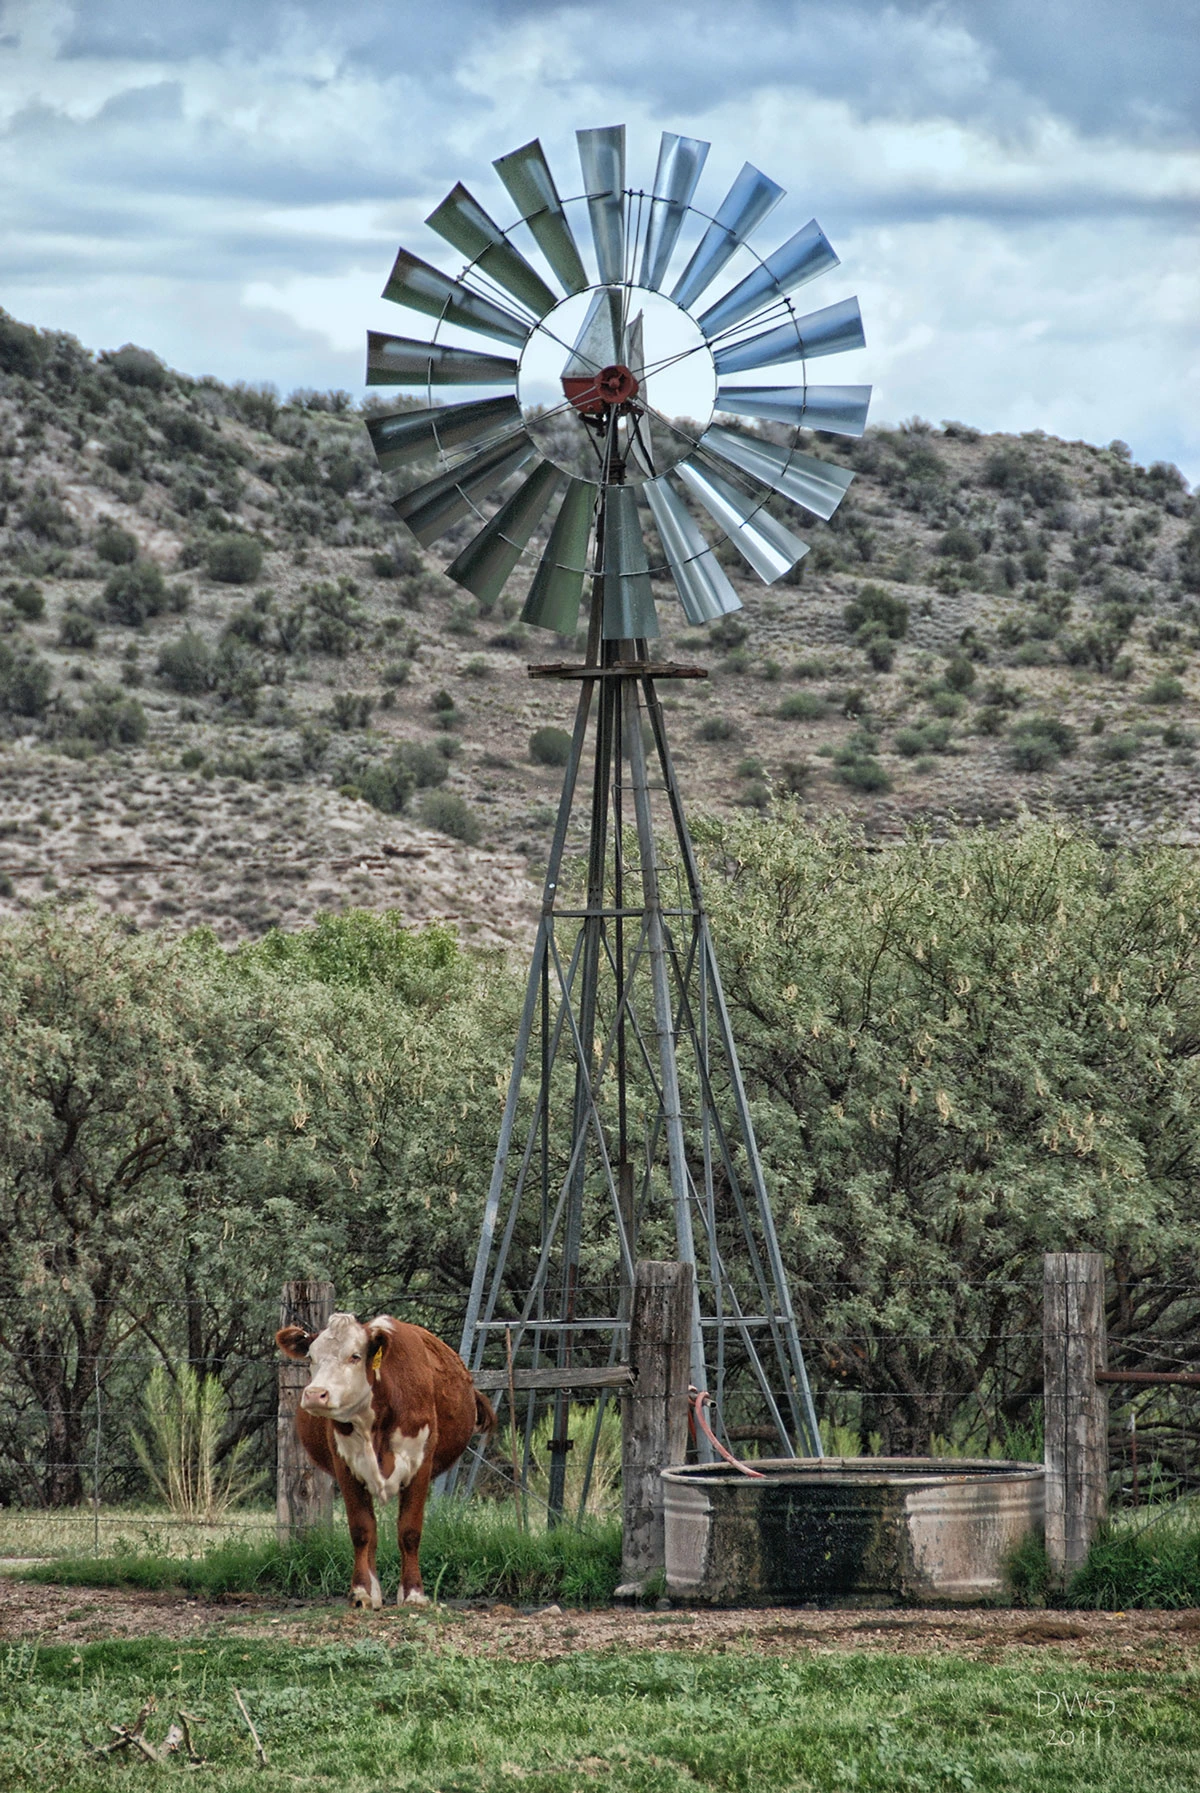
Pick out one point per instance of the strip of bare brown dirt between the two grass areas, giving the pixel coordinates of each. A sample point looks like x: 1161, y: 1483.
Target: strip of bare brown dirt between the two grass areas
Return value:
x: 1100, y: 1640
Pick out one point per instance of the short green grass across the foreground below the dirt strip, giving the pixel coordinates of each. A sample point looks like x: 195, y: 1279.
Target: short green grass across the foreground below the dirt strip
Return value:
x: 404, y: 1713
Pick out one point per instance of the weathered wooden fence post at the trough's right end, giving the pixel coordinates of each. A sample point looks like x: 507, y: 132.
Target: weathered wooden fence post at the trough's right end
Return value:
x: 1077, y: 1408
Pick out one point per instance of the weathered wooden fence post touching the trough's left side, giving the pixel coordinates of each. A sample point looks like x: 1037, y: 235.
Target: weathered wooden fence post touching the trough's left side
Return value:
x: 654, y: 1412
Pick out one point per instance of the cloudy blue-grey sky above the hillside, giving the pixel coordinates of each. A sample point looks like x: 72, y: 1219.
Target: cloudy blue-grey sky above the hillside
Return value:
x: 1011, y: 184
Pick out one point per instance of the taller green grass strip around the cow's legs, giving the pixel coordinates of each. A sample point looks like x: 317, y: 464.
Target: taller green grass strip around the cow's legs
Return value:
x: 467, y: 1552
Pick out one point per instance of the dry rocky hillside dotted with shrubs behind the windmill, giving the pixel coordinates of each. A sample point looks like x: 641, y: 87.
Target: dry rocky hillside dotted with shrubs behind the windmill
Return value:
x: 234, y: 693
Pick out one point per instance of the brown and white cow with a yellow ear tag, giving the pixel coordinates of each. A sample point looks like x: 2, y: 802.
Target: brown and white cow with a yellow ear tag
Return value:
x: 388, y: 1408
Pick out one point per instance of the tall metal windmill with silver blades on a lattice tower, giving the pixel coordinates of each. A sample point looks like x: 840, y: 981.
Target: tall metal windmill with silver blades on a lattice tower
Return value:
x: 595, y: 460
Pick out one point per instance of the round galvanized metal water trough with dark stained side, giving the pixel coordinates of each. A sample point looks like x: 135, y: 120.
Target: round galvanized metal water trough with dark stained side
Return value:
x: 848, y: 1530
